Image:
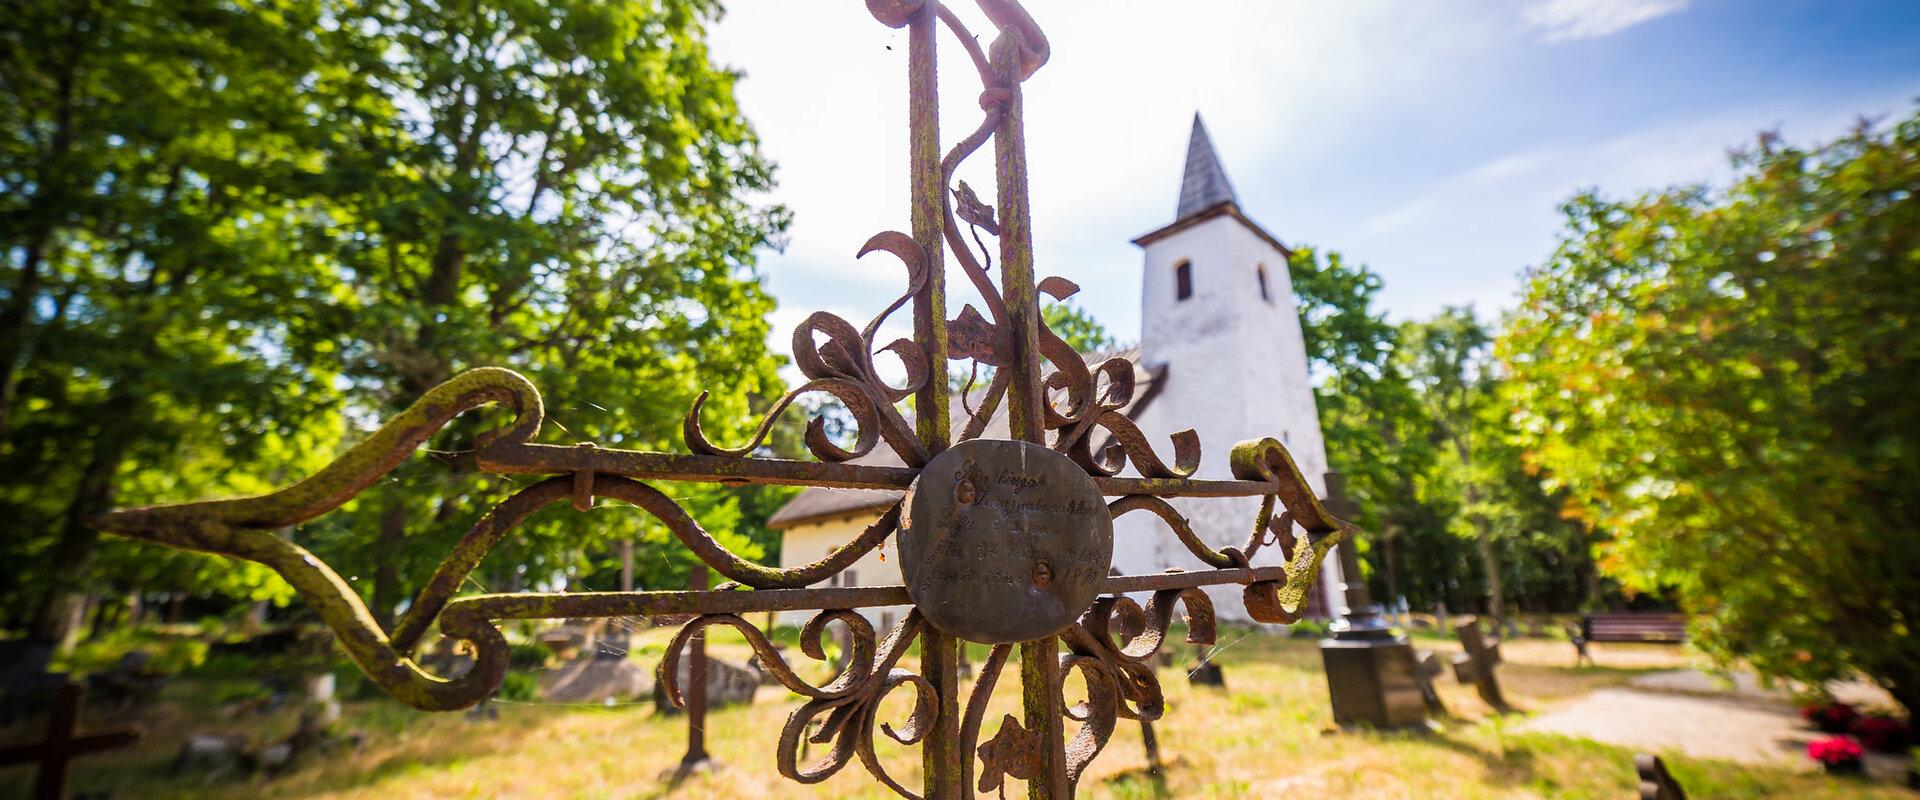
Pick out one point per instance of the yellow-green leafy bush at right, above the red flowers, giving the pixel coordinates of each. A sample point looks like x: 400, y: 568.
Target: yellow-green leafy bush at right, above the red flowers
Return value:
x: 1725, y: 383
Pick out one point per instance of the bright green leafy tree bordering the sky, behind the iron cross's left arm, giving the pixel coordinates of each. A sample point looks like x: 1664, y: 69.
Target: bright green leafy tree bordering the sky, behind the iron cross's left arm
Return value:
x: 560, y: 189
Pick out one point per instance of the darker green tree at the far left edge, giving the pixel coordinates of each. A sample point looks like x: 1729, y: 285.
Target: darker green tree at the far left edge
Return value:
x: 158, y: 183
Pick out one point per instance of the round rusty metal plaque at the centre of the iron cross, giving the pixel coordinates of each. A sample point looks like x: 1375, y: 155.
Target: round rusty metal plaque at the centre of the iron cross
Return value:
x: 1005, y: 542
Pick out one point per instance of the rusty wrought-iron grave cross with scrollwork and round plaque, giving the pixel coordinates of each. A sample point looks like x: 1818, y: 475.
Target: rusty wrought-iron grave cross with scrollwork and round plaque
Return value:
x: 1003, y: 542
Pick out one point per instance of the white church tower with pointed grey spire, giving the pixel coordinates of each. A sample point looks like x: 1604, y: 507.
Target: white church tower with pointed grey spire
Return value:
x: 1220, y: 327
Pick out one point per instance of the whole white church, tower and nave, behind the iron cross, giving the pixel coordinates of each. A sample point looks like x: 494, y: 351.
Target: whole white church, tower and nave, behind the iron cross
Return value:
x: 1220, y: 352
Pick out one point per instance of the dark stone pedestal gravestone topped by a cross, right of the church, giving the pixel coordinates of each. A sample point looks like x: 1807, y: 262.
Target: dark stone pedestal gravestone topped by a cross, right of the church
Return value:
x: 1374, y: 676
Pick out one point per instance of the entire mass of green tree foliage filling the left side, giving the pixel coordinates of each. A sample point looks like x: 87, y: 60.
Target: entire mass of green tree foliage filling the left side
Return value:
x: 239, y: 235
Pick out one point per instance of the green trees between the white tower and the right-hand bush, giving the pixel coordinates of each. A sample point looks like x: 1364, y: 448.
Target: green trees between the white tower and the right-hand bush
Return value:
x: 1410, y: 415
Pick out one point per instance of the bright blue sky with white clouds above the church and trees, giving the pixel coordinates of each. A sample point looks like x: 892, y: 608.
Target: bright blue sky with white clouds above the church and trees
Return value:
x: 1429, y: 141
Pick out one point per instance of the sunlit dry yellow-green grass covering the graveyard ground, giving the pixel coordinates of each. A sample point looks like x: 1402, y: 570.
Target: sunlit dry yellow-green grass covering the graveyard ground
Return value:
x: 1268, y: 734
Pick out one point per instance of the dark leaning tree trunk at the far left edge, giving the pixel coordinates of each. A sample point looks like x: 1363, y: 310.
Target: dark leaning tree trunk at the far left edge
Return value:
x: 70, y: 557
